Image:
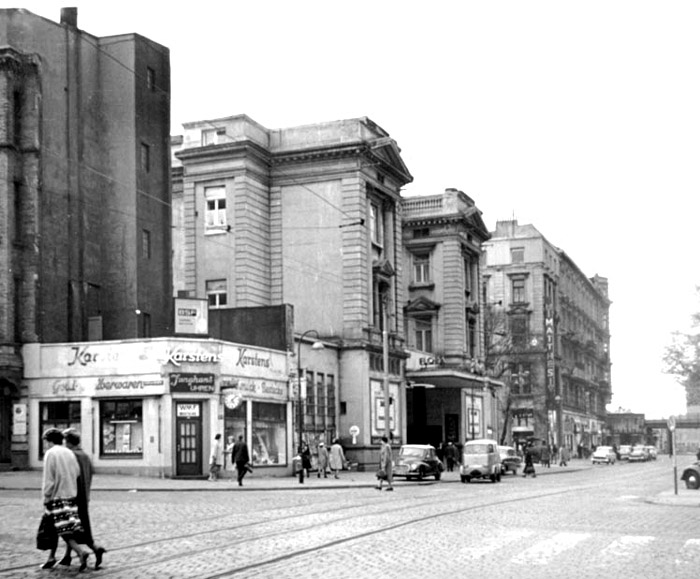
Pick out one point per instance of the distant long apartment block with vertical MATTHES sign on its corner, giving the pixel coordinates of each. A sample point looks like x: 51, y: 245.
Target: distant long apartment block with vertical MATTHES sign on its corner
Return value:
x: 558, y: 350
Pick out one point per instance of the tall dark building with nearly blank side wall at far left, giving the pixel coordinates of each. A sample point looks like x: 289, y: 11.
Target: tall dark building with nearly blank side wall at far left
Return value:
x: 84, y: 203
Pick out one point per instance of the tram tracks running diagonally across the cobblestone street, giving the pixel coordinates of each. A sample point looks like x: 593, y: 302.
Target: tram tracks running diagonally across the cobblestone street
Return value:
x: 342, y: 524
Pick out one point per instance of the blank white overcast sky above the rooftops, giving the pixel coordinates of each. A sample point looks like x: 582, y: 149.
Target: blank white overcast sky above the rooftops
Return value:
x: 582, y: 118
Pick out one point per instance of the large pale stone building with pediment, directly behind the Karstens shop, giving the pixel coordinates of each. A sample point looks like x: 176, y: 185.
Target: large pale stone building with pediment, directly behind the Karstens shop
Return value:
x: 306, y: 216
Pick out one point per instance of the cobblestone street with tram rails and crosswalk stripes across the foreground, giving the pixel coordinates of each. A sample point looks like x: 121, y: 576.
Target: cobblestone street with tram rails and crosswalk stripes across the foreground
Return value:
x: 581, y: 521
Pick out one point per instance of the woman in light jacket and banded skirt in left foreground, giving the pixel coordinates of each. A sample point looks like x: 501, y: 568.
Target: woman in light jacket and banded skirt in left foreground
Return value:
x: 60, y: 492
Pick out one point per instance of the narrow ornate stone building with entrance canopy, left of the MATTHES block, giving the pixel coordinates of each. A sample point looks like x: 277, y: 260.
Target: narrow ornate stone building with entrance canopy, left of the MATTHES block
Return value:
x: 449, y: 397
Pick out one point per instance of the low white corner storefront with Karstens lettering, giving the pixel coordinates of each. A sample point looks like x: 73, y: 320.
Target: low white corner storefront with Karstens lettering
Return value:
x: 152, y: 407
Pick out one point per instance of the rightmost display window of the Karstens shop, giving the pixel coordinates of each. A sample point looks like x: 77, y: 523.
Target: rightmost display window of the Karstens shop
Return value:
x: 269, y: 434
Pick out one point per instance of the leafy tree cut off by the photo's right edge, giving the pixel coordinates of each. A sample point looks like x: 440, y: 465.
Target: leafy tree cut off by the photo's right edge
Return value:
x: 682, y: 359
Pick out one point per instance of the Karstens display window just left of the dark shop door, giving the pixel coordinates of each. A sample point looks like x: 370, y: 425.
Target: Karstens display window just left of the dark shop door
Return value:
x: 121, y: 425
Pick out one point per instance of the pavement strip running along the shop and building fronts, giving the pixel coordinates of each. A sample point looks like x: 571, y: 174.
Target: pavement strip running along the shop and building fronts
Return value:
x: 31, y: 480
